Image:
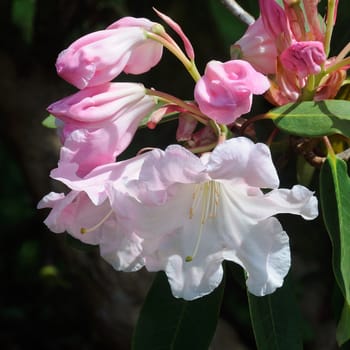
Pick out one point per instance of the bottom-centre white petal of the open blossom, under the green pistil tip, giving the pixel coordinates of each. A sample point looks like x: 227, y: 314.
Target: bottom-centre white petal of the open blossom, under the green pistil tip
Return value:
x: 194, y: 279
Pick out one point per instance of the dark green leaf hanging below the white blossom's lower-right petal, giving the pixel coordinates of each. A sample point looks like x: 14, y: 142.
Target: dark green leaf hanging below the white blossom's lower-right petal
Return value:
x: 276, y: 320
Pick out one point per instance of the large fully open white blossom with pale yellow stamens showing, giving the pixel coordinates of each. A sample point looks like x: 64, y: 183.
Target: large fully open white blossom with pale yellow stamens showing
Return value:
x: 201, y: 211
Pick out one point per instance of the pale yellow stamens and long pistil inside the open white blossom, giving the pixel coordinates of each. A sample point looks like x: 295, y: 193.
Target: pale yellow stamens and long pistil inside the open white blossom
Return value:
x: 206, y: 200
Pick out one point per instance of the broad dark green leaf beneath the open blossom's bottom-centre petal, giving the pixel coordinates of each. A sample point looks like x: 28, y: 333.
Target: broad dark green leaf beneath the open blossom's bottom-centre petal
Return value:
x: 166, y: 322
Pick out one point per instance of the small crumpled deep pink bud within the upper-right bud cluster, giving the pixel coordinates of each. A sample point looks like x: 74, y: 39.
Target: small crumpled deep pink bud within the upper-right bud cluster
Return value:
x: 304, y: 58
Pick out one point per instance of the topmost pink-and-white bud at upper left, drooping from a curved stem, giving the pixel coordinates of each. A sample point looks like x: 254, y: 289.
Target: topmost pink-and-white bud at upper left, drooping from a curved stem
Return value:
x: 99, y: 57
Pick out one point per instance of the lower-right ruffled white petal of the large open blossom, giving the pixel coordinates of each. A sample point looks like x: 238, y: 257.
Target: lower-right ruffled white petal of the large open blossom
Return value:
x: 261, y: 247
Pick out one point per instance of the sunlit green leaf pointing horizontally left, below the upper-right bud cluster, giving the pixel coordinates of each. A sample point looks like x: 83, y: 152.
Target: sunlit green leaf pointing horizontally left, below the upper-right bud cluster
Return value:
x: 313, y: 119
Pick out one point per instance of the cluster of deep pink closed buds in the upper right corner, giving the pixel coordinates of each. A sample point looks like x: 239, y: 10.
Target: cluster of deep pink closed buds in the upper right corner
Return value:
x: 291, y: 45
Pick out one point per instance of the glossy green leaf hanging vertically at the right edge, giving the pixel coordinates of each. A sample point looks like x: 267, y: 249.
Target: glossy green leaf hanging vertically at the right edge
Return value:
x: 335, y: 204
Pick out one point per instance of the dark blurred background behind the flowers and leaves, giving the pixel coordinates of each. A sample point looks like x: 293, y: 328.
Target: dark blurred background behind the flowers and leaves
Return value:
x: 53, y: 295
